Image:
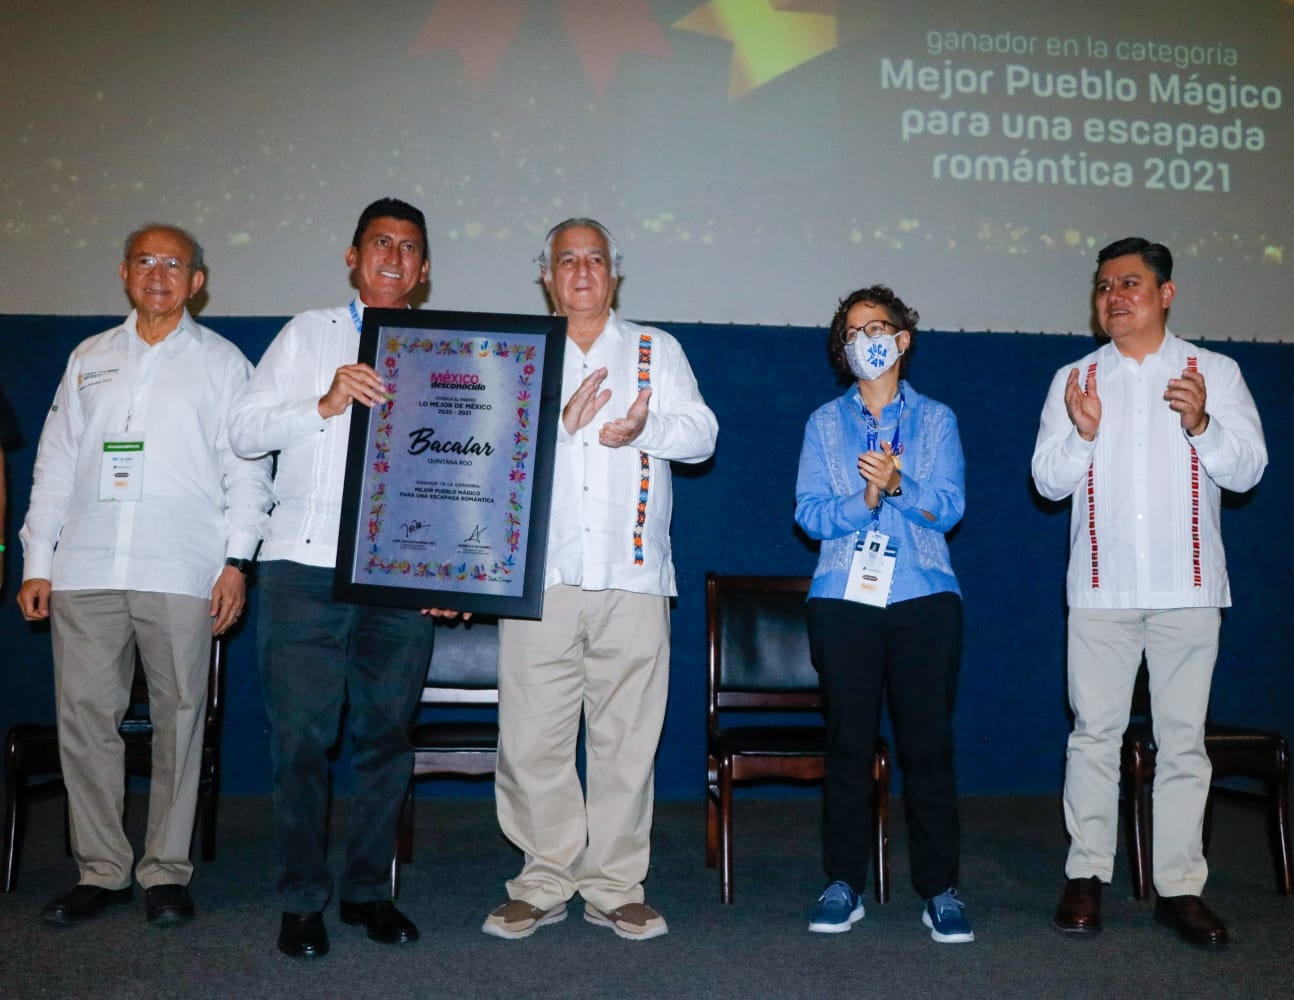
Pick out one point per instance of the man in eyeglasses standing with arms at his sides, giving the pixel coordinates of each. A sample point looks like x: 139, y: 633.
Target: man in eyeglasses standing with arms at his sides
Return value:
x: 142, y: 526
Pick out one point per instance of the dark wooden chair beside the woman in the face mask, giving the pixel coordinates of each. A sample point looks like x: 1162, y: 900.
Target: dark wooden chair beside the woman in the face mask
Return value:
x: 758, y: 662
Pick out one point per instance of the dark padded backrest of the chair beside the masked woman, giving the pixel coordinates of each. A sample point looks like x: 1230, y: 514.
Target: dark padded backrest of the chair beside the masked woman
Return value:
x: 758, y: 645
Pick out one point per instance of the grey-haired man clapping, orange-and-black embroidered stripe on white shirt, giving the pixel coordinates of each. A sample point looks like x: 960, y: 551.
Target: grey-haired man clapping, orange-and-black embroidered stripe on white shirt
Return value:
x: 631, y: 407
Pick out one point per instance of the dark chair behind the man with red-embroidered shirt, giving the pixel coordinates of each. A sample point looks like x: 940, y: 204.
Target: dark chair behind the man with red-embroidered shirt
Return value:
x: 1234, y: 752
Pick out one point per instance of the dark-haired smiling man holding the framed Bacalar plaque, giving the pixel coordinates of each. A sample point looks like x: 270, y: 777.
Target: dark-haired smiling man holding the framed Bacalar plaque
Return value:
x: 319, y: 655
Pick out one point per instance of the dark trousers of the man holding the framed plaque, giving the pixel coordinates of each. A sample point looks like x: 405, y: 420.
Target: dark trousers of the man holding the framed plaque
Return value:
x: 318, y: 658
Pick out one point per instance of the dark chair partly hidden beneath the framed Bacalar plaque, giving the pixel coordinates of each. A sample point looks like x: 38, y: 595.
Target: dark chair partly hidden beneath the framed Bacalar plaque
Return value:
x: 461, y: 737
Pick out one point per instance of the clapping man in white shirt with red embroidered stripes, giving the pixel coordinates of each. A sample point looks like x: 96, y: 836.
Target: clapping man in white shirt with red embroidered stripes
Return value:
x: 1143, y: 435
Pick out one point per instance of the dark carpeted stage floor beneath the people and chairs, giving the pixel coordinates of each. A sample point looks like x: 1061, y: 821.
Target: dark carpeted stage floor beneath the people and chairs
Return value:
x: 760, y: 948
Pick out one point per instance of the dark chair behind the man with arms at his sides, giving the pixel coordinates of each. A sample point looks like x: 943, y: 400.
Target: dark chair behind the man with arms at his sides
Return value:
x: 33, y: 768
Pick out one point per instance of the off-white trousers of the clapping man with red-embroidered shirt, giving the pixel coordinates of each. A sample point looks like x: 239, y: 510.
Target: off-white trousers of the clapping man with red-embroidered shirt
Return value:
x: 1106, y: 650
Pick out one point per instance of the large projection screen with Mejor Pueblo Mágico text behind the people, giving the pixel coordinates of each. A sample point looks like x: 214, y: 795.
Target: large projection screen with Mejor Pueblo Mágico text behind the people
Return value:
x: 756, y: 158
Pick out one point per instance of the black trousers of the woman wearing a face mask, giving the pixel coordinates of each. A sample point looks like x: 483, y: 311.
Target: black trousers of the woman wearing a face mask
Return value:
x: 910, y: 651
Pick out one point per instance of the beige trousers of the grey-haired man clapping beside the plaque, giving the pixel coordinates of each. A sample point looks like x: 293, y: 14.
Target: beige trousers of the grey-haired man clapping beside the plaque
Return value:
x: 605, y: 654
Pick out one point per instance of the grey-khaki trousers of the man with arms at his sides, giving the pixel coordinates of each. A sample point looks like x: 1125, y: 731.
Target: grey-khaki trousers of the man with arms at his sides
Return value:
x: 95, y: 636
